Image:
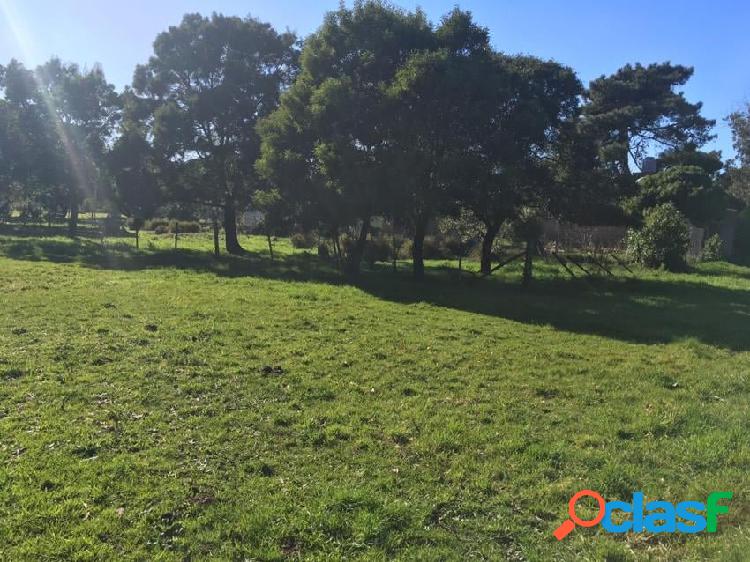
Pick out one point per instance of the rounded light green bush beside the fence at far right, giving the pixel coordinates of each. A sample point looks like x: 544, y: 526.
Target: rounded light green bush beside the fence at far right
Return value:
x: 663, y: 240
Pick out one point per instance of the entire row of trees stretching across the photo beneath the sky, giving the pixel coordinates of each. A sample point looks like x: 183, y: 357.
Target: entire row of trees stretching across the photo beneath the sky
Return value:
x: 379, y: 114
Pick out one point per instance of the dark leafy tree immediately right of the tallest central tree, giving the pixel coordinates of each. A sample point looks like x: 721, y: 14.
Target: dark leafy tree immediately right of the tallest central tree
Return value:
x: 438, y: 104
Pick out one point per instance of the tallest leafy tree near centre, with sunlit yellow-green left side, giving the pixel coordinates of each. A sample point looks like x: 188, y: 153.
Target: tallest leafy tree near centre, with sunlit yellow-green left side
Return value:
x: 328, y: 145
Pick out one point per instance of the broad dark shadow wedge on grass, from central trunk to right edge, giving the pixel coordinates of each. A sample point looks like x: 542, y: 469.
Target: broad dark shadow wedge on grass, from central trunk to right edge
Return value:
x: 648, y: 311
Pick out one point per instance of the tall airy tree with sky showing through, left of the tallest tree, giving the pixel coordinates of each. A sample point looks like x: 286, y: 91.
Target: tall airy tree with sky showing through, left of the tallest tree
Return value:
x: 211, y: 80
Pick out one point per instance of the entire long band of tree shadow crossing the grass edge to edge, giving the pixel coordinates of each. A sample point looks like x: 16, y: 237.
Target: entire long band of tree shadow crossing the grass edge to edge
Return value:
x: 634, y: 310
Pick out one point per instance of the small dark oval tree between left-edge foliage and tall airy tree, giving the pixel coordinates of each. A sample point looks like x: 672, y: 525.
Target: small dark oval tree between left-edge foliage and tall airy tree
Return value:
x: 135, y: 182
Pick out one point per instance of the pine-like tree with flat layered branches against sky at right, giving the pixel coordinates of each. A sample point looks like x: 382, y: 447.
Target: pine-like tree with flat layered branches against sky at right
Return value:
x: 637, y: 108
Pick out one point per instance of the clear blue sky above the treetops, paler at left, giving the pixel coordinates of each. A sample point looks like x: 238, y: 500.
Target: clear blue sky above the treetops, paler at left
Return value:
x: 594, y: 37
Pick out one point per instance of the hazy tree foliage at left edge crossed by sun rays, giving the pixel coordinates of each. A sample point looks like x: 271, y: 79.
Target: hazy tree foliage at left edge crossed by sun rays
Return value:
x: 54, y: 125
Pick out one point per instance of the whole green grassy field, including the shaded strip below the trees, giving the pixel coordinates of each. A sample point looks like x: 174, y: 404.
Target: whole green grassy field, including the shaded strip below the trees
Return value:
x: 164, y: 405
